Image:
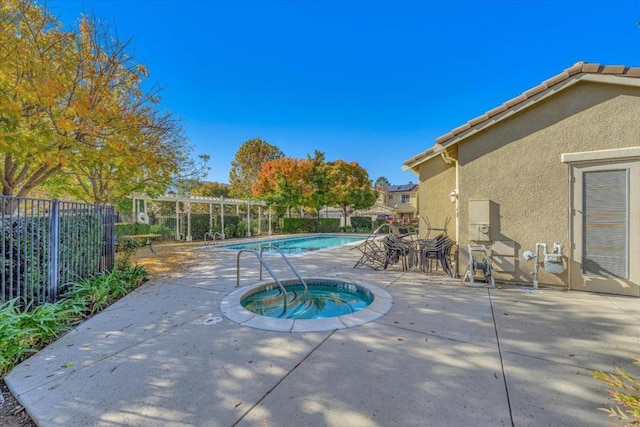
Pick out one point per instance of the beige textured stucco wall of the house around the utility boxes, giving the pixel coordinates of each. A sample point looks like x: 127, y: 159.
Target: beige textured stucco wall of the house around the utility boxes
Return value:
x: 516, y: 165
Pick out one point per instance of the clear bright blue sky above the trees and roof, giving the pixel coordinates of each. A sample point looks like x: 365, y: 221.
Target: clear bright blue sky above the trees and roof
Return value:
x: 368, y: 81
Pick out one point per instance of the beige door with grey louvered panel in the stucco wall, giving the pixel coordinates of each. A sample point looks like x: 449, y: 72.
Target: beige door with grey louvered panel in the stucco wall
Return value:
x: 605, y: 226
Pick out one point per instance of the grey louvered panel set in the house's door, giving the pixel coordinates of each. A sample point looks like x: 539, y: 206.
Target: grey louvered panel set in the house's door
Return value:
x: 606, y: 223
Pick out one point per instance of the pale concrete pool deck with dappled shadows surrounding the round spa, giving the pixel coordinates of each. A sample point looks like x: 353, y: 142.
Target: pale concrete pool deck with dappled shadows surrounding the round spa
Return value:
x: 444, y: 355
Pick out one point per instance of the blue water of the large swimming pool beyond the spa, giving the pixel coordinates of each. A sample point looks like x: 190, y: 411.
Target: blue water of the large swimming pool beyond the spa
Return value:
x: 298, y: 245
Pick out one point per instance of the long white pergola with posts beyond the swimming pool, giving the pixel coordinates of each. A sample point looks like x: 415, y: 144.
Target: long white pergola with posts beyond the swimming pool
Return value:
x: 139, y: 204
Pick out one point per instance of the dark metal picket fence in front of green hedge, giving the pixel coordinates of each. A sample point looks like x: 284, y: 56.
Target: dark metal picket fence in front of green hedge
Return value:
x: 46, y: 244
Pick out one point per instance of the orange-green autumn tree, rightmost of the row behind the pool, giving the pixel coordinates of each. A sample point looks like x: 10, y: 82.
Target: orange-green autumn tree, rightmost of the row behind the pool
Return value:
x: 350, y: 187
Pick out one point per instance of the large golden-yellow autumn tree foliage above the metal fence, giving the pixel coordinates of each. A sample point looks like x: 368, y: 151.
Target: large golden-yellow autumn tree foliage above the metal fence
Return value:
x: 74, y: 114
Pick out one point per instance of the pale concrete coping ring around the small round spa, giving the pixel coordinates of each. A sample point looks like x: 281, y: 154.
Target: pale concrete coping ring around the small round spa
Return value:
x: 232, y: 309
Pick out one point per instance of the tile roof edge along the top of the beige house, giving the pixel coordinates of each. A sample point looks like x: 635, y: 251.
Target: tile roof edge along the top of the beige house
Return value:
x: 575, y: 70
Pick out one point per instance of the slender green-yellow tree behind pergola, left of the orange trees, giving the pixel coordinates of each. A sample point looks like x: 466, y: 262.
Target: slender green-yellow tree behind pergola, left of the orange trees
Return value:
x: 247, y: 163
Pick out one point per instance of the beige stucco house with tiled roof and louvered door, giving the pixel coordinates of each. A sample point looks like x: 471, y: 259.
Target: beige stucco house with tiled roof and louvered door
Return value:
x: 559, y: 163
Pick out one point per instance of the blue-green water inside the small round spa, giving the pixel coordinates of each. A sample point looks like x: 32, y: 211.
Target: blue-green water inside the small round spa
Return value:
x: 324, y: 298
